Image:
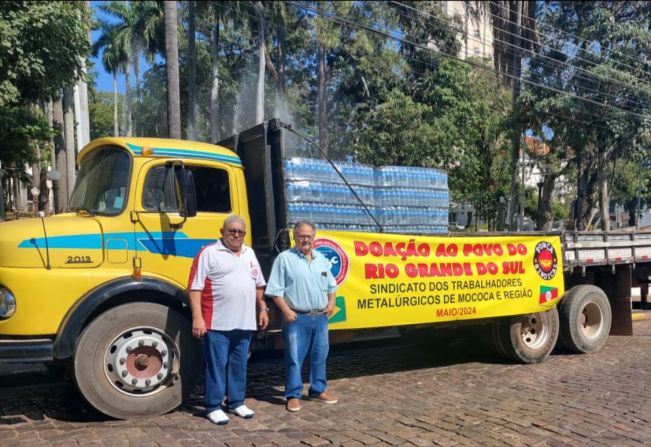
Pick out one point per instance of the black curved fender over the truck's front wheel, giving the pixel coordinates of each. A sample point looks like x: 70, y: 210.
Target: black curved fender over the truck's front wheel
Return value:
x: 108, y: 295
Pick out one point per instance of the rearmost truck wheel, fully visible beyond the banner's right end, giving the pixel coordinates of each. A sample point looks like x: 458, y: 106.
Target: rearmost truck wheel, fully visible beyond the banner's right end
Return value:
x: 585, y: 317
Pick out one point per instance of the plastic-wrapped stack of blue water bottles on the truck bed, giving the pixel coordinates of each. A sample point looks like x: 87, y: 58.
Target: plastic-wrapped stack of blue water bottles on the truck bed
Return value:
x: 401, y: 199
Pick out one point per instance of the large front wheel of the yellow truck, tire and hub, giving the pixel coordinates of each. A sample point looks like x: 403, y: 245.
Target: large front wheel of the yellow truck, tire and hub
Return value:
x: 136, y: 359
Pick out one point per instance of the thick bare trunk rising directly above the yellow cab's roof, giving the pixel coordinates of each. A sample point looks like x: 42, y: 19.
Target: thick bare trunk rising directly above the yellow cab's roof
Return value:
x: 172, y: 65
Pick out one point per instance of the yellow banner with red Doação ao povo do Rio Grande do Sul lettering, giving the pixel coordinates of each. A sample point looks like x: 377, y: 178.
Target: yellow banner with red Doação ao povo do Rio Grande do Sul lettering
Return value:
x: 389, y: 279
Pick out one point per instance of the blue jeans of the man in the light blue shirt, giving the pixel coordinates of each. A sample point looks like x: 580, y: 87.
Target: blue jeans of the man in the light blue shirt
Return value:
x: 306, y: 334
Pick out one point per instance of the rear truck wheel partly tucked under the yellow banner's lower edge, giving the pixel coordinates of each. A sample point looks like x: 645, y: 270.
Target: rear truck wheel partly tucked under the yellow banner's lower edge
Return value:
x: 526, y: 338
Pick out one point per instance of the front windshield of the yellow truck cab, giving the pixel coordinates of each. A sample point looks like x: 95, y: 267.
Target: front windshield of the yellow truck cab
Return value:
x: 103, y: 182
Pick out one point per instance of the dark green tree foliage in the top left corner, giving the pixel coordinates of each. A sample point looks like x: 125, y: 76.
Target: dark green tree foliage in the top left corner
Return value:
x: 42, y: 48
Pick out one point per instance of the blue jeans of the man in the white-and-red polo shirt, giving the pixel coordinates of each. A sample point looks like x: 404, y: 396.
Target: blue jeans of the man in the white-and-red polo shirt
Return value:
x: 226, y: 354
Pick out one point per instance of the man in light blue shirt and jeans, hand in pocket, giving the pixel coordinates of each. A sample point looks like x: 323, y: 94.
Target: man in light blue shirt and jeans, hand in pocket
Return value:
x: 302, y: 286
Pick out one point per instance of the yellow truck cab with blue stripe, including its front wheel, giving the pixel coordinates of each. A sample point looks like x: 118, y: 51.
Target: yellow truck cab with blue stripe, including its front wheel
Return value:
x: 73, y: 286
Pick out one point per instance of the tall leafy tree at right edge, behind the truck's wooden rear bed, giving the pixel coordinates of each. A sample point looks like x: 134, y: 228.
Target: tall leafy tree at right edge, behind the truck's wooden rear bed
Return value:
x: 598, y: 110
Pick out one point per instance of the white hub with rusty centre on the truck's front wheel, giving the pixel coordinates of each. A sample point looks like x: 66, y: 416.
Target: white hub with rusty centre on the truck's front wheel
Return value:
x: 139, y: 361
